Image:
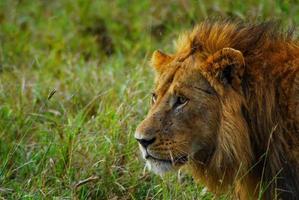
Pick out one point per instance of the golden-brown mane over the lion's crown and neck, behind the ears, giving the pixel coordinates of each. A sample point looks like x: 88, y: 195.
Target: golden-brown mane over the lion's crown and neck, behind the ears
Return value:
x: 270, y: 110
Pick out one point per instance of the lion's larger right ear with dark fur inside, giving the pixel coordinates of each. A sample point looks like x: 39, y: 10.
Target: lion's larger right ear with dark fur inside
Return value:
x: 227, y: 66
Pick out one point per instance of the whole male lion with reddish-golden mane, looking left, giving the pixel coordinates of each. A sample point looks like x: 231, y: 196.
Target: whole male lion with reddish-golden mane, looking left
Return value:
x: 226, y: 106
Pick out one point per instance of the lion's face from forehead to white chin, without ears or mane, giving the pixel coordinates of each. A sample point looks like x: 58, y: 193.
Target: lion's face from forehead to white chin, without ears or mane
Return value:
x: 182, y: 123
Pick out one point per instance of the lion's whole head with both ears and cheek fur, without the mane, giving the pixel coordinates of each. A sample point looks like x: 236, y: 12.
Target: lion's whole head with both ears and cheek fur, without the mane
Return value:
x: 193, y: 102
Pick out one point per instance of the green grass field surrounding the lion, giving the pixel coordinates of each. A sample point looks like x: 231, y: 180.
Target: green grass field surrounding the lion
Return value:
x: 75, y: 82
